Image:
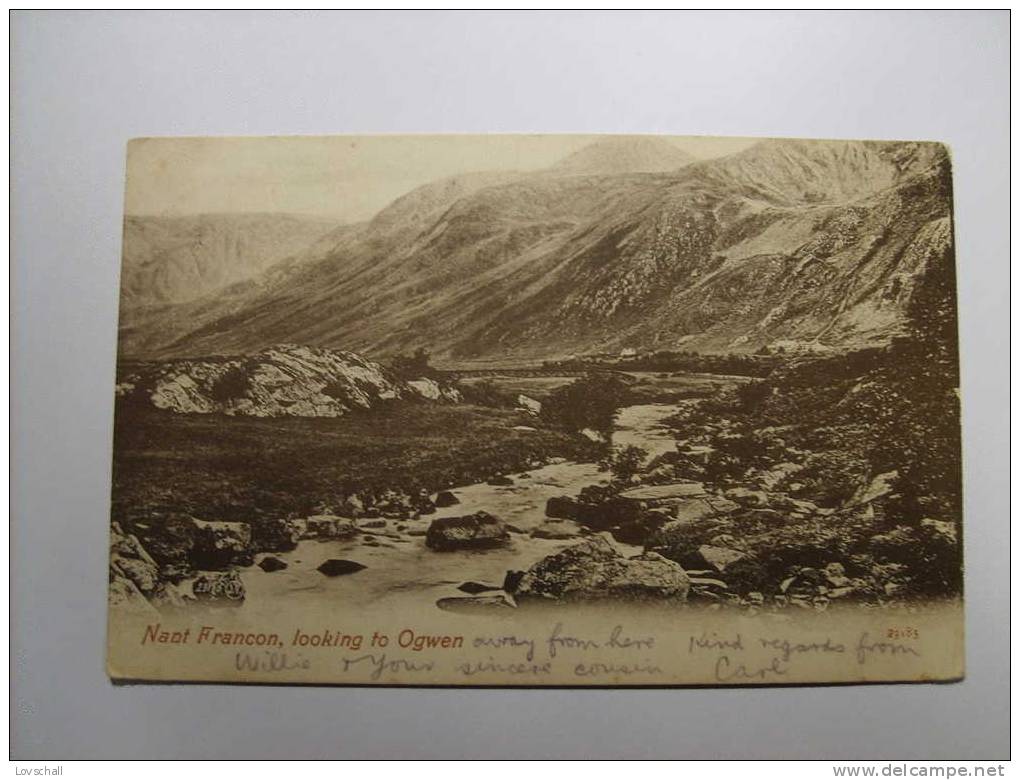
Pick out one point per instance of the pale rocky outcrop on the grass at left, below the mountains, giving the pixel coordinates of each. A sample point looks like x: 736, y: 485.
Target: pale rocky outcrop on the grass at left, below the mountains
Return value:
x: 283, y: 381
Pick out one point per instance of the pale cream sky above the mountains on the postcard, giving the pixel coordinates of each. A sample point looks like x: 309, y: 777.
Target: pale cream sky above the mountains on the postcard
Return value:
x: 344, y: 178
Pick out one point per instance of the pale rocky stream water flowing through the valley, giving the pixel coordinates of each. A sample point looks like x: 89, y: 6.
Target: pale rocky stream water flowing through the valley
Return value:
x: 400, y: 569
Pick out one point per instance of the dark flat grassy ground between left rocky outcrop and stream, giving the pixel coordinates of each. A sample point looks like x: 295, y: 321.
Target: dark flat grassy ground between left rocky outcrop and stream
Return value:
x: 241, y: 469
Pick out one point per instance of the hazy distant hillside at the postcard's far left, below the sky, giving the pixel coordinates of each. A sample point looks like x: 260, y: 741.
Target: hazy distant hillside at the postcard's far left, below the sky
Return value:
x: 180, y: 259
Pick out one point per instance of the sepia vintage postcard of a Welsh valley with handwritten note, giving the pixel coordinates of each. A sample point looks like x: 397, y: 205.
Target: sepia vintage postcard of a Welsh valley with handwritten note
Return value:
x: 537, y: 410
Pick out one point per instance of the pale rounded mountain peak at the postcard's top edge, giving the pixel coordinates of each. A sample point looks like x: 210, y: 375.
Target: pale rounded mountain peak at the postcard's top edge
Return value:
x: 626, y: 154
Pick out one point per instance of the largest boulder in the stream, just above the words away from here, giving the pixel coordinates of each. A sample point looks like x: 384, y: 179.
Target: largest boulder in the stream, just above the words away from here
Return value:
x: 594, y: 570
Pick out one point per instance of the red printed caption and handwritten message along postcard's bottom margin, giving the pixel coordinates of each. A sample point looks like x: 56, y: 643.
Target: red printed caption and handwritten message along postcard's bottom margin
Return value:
x: 554, y: 655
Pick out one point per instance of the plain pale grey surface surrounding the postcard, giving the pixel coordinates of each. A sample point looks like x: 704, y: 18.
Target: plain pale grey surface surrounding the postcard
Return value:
x: 85, y: 83
